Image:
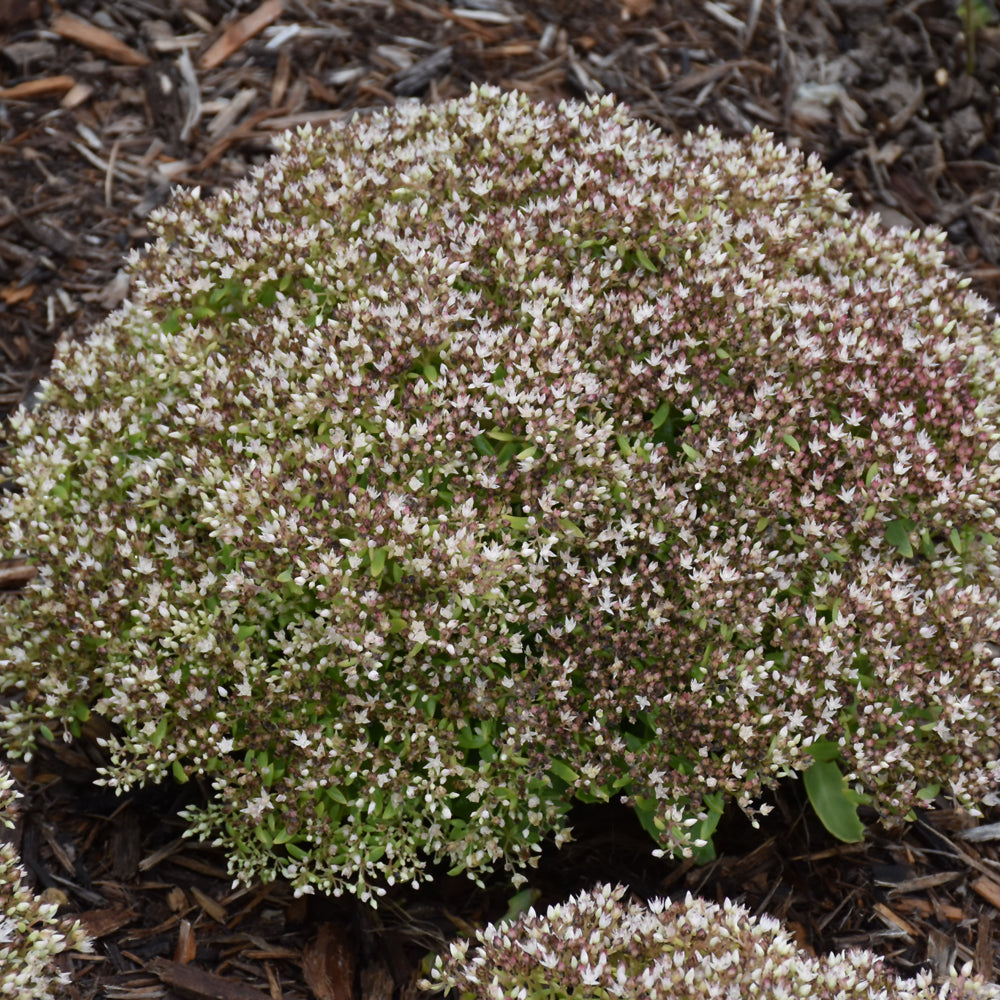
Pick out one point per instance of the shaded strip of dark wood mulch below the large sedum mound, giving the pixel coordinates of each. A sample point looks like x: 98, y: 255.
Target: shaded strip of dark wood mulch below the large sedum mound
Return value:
x: 170, y: 922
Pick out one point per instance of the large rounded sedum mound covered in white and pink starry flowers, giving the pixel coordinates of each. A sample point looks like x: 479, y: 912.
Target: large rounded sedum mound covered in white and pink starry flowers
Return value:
x: 466, y: 460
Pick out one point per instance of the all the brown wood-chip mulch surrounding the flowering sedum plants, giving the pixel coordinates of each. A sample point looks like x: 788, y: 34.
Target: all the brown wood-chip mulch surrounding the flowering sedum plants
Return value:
x: 104, y: 106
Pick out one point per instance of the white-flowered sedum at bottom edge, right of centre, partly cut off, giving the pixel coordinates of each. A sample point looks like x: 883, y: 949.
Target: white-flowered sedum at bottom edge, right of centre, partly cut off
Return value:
x: 598, y: 946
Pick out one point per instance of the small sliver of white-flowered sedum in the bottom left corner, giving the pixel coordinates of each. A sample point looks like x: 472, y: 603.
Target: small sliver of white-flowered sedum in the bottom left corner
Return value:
x: 31, y: 934
